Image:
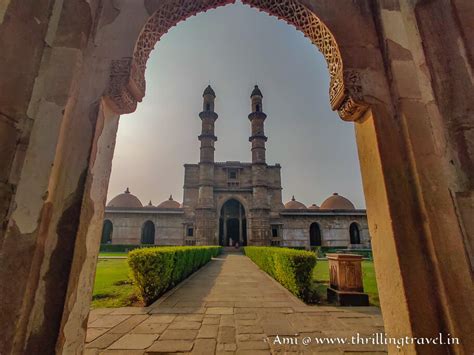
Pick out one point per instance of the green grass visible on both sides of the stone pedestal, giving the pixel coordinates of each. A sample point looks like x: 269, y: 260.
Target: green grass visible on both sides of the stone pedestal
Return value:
x: 321, y: 278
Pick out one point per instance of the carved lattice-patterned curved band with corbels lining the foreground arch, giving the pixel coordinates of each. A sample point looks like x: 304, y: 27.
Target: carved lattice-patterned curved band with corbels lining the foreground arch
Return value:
x: 127, y: 85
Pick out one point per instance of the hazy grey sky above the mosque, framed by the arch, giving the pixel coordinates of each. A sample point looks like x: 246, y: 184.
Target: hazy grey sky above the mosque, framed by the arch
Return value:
x: 233, y: 48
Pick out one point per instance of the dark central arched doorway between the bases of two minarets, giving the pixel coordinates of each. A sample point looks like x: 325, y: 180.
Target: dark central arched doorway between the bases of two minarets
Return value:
x: 232, y: 224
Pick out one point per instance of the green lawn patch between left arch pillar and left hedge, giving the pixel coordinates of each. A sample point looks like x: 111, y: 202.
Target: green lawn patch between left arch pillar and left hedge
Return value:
x: 112, y: 286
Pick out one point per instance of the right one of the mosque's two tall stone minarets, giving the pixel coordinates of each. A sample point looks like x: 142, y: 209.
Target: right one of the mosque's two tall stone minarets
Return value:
x: 259, y: 221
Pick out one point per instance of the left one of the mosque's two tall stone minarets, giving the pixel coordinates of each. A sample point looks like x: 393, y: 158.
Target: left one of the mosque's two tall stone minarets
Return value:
x: 206, y: 233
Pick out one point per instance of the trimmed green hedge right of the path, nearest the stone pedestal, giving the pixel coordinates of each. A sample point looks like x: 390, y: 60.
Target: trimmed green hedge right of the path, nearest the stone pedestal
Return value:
x: 292, y: 268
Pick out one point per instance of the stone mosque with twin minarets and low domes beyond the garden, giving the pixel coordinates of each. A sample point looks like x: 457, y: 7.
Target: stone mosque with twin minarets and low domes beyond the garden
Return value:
x: 229, y: 203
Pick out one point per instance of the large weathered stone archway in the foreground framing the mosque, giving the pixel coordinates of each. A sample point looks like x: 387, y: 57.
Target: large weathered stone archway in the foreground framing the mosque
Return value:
x: 415, y: 152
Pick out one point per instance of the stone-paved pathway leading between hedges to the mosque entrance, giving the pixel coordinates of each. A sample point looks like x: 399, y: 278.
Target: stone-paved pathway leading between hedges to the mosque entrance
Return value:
x: 230, y: 306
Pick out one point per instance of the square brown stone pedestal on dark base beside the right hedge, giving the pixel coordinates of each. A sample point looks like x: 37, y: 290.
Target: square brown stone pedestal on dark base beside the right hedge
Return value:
x: 346, y: 288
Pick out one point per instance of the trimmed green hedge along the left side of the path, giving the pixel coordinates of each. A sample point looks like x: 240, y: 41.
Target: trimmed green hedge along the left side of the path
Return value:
x: 156, y: 270
